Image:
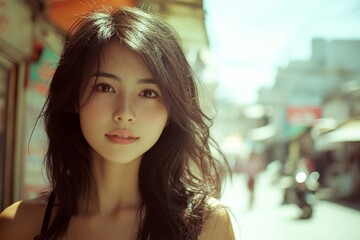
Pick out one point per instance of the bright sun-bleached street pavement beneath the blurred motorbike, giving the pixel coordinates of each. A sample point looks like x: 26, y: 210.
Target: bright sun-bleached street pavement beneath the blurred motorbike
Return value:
x: 271, y: 220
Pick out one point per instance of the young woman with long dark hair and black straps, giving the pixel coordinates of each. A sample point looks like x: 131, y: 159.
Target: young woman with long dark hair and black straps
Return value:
x: 128, y: 145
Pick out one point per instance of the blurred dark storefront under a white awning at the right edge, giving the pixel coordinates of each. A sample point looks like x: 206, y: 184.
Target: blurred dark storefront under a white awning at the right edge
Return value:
x: 342, y: 163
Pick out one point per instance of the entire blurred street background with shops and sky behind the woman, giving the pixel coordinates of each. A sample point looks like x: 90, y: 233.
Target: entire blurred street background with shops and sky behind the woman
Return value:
x: 284, y: 77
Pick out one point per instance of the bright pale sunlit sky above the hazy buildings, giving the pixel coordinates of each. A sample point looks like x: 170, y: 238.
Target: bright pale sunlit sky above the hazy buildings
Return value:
x: 249, y: 40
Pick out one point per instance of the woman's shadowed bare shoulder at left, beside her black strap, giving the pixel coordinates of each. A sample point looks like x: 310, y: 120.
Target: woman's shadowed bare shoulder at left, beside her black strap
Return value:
x: 23, y: 219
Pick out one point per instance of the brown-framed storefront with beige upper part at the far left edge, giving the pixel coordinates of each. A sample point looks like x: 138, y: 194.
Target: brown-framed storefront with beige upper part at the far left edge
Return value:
x: 15, y: 50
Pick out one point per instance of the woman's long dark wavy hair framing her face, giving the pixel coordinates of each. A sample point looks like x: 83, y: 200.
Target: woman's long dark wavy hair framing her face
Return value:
x: 179, y: 173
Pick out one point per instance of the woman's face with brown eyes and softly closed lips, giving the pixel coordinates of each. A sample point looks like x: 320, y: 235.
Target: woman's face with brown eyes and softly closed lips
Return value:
x: 126, y: 115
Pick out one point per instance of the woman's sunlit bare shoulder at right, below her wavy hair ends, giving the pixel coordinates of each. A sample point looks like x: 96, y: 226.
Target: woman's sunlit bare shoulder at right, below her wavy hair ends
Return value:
x: 218, y: 226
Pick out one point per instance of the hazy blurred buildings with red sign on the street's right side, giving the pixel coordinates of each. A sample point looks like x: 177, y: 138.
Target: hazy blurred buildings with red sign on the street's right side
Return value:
x: 314, y: 103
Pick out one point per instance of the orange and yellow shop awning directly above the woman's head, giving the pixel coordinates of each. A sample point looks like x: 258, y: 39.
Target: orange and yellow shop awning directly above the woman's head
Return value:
x: 187, y: 17
